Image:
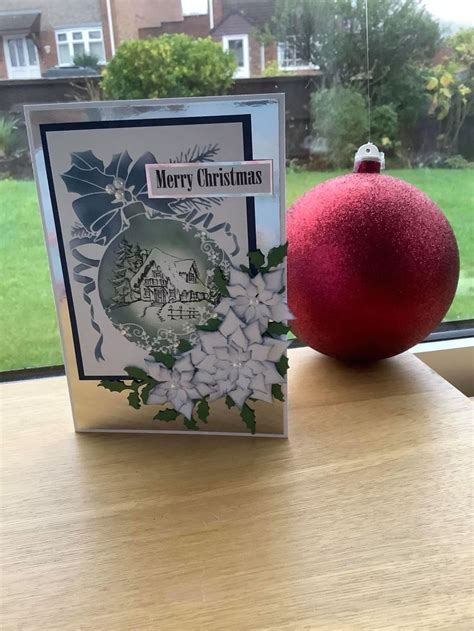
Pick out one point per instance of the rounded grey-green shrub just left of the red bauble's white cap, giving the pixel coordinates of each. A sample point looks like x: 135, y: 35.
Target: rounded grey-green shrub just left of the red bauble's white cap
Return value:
x: 339, y: 124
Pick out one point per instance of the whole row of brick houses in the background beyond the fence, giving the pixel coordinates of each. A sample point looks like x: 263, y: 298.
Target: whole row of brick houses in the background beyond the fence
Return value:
x: 40, y: 38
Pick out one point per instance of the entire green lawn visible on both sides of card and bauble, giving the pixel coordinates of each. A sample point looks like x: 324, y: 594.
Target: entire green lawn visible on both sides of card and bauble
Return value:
x: 28, y: 330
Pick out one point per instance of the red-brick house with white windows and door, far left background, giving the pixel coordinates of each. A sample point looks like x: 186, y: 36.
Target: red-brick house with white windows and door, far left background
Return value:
x: 37, y: 35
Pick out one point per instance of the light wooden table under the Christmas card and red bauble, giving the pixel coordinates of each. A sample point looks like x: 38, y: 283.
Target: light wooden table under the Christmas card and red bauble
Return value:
x: 360, y: 521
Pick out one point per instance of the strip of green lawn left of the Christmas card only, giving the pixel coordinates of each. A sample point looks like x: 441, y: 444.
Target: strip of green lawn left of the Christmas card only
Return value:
x: 28, y: 330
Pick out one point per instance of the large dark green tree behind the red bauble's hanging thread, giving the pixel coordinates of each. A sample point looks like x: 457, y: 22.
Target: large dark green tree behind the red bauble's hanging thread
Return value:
x: 332, y: 35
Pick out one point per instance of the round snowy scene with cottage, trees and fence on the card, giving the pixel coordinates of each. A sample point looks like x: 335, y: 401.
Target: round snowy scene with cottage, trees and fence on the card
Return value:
x: 151, y: 290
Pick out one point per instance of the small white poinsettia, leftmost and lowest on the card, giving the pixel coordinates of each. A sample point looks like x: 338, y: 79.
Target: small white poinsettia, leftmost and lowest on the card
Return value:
x: 176, y: 385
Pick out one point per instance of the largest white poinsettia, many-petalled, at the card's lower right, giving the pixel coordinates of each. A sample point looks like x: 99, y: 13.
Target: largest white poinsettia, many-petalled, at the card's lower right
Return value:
x: 236, y: 361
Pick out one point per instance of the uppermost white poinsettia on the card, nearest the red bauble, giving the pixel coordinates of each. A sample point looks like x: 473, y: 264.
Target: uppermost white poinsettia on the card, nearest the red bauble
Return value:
x: 256, y: 299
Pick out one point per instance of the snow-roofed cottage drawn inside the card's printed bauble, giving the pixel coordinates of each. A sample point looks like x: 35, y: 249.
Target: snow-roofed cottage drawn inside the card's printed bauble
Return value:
x: 166, y: 278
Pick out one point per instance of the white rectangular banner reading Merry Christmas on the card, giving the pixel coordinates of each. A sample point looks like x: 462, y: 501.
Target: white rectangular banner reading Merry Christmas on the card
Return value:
x: 217, y: 179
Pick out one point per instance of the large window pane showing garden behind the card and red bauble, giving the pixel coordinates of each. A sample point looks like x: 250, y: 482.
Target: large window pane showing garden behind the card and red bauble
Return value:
x: 422, y: 104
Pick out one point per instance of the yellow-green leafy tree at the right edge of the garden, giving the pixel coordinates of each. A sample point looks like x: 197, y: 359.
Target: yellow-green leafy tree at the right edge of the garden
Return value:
x: 451, y: 86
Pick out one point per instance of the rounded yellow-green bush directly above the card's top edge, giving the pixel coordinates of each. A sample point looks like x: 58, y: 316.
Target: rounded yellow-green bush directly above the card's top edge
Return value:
x: 168, y: 66
